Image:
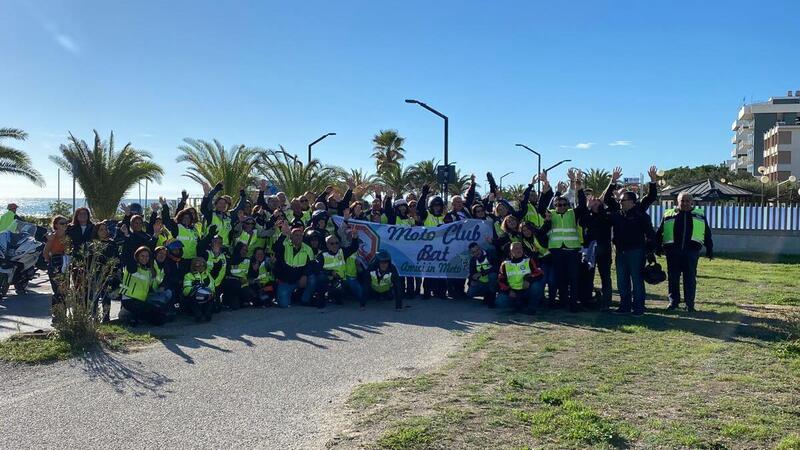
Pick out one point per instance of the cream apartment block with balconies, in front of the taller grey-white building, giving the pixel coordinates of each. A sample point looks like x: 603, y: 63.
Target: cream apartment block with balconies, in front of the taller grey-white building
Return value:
x: 782, y: 151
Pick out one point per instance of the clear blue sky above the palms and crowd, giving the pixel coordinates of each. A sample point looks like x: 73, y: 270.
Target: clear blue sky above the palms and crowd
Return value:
x: 603, y: 83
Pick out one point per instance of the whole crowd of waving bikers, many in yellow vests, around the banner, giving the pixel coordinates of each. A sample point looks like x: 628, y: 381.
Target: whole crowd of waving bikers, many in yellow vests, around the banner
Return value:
x: 272, y: 250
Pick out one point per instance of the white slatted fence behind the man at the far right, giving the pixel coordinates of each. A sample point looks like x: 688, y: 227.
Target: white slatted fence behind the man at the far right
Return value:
x: 733, y: 217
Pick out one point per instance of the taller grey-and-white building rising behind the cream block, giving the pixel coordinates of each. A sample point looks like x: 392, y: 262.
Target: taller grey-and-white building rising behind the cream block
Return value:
x: 753, y: 122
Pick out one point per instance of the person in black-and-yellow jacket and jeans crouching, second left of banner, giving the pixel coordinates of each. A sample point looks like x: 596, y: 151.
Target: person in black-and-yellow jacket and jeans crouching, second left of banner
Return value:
x: 294, y: 267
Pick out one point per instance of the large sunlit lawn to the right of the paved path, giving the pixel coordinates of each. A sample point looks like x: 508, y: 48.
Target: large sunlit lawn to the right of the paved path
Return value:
x: 727, y: 376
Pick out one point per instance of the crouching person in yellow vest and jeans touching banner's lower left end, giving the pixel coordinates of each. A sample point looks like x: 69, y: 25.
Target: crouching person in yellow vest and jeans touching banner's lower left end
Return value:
x: 333, y: 283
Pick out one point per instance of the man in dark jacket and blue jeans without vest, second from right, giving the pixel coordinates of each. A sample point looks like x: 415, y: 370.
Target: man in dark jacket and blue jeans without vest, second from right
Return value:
x: 633, y: 237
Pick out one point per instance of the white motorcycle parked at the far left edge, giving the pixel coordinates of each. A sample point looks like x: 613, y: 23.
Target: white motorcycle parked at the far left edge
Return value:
x: 19, y: 254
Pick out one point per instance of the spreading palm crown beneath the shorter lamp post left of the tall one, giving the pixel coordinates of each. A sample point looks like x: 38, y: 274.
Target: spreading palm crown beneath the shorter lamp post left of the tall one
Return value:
x: 293, y: 177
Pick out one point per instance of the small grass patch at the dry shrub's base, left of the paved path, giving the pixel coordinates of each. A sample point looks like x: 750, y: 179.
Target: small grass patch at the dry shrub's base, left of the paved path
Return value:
x: 38, y: 349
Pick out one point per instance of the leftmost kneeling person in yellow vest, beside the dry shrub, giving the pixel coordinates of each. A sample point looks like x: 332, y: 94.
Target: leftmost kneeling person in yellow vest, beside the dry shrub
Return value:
x: 138, y: 283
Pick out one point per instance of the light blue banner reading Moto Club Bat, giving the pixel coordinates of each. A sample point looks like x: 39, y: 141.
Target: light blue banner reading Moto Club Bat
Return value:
x: 441, y: 252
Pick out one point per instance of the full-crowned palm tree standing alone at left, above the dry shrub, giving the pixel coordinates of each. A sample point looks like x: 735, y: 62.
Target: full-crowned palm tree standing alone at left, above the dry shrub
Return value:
x: 105, y: 175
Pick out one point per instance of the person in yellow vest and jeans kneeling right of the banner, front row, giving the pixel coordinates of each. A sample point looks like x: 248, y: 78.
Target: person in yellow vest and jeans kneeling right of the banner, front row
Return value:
x: 521, y: 281
